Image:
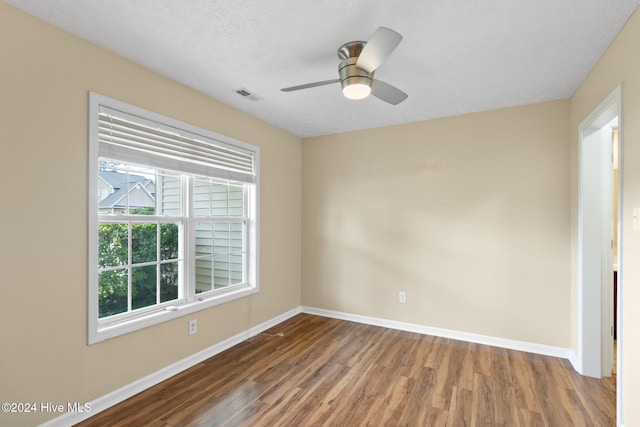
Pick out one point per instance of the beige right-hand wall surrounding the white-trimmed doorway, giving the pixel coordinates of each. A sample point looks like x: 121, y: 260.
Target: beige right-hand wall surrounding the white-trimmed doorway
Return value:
x: 619, y: 65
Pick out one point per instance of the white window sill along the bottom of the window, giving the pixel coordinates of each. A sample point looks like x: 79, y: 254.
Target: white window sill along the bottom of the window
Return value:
x: 98, y: 332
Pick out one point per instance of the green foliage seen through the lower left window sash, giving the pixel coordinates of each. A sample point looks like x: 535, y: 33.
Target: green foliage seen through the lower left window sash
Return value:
x: 113, y: 251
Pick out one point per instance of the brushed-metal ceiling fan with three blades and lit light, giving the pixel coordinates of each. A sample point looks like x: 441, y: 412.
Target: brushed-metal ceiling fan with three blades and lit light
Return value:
x: 358, y: 62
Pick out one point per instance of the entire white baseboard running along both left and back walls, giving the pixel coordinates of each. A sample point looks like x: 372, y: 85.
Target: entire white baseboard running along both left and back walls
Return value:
x: 123, y: 393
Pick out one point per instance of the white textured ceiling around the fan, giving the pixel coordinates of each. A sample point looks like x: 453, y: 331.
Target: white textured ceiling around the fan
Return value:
x: 457, y: 56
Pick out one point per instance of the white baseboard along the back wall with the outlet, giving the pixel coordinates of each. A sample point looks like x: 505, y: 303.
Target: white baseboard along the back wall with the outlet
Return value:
x: 528, y: 347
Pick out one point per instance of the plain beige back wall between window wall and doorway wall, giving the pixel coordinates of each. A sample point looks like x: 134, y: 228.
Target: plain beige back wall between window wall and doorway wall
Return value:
x: 469, y: 215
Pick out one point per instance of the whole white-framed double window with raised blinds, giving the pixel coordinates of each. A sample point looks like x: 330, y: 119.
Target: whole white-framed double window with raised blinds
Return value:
x: 172, y: 218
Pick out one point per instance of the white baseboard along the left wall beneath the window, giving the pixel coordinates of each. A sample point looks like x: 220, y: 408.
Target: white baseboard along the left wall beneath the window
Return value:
x: 104, y: 402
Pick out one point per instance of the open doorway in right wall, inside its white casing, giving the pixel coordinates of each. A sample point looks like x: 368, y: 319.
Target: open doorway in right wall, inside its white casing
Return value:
x: 597, y: 219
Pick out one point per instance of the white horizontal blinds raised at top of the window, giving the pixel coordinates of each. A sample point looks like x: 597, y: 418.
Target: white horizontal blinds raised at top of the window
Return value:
x: 126, y: 137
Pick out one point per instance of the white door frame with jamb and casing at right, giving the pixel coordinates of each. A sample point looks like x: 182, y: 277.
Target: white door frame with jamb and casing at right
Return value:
x: 595, y: 307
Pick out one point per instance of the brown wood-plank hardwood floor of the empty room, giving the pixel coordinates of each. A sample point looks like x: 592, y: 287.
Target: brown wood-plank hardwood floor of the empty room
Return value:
x: 328, y: 372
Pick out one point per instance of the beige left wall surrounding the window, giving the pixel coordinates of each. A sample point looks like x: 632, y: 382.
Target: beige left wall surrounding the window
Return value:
x: 45, y: 77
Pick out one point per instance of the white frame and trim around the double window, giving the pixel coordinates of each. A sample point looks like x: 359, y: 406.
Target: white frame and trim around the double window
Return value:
x: 112, y: 326
